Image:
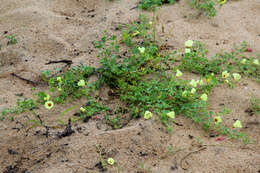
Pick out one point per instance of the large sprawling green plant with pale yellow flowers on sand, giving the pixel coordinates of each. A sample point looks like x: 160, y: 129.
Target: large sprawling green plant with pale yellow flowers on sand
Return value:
x: 146, y: 80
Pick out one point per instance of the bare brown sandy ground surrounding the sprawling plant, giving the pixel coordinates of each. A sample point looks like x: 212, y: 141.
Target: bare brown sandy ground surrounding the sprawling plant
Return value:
x: 65, y: 29
